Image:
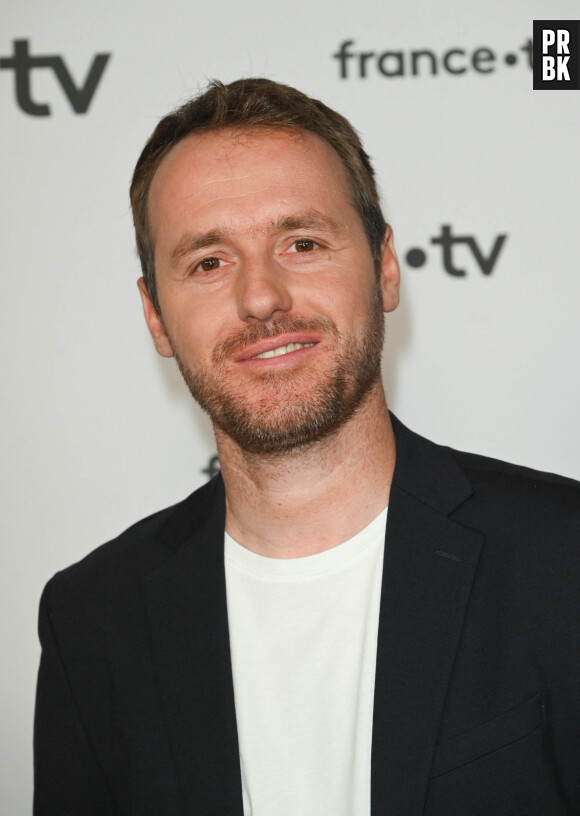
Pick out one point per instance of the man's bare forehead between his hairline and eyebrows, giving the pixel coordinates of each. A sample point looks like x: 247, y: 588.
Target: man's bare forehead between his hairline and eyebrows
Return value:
x: 247, y: 174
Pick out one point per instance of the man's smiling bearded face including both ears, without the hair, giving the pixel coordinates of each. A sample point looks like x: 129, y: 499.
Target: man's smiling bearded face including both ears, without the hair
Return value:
x: 269, y: 298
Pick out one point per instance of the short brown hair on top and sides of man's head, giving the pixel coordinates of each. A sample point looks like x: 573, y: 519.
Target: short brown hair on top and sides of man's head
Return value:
x: 249, y: 103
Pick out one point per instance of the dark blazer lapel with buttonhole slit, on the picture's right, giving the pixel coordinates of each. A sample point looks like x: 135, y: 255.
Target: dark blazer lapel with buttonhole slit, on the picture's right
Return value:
x: 429, y: 566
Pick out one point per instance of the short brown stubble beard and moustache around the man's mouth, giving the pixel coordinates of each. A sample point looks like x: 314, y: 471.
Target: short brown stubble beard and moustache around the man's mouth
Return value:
x: 284, y: 411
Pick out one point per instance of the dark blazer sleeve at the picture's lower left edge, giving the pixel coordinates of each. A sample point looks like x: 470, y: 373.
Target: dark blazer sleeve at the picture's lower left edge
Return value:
x: 68, y: 780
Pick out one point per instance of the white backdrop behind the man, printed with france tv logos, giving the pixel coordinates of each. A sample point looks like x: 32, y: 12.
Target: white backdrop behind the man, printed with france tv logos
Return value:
x: 97, y: 431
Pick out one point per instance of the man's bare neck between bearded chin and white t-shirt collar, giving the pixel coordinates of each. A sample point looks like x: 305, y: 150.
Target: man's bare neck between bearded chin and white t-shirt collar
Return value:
x: 312, y: 499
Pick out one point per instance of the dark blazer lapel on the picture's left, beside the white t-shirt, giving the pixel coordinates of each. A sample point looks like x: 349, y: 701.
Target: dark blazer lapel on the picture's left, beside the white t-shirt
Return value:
x: 186, y: 603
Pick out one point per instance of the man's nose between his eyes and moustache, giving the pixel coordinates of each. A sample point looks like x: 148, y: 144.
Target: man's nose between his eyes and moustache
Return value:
x: 262, y: 289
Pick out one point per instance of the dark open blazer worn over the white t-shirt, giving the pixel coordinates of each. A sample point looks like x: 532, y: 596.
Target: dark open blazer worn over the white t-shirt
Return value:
x: 477, y: 698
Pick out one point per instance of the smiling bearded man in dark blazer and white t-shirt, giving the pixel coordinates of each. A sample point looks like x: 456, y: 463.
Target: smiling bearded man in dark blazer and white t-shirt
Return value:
x: 263, y: 647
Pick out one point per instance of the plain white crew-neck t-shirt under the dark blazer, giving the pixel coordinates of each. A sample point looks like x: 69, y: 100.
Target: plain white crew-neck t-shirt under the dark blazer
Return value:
x: 303, y: 642
